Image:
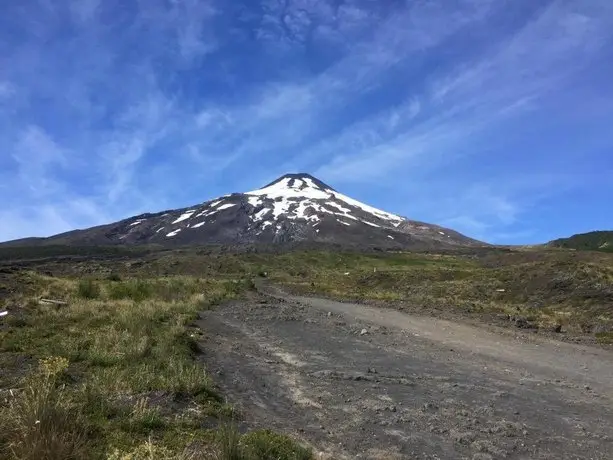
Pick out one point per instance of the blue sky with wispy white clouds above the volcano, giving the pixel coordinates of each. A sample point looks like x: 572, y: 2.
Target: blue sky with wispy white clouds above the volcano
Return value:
x: 493, y: 117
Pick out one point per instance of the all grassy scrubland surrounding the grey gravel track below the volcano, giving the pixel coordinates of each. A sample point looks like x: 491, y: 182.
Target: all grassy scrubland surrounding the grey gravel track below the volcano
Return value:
x: 116, y: 372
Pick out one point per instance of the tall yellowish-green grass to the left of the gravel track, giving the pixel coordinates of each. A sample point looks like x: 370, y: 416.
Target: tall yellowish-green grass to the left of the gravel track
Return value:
x: 115, y: 373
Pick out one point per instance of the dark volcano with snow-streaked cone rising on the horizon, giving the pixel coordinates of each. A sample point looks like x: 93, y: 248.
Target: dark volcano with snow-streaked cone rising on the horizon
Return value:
x: 293, y: 208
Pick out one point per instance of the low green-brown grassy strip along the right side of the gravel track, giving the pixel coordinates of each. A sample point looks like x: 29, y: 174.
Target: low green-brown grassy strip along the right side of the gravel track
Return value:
x: 546, y: 290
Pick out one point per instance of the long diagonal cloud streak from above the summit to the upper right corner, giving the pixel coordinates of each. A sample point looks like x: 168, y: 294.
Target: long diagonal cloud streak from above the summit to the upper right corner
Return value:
x: 467, y: 100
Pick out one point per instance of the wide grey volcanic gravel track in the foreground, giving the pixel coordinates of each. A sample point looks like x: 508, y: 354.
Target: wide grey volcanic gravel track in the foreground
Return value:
x: 410, y: 387
